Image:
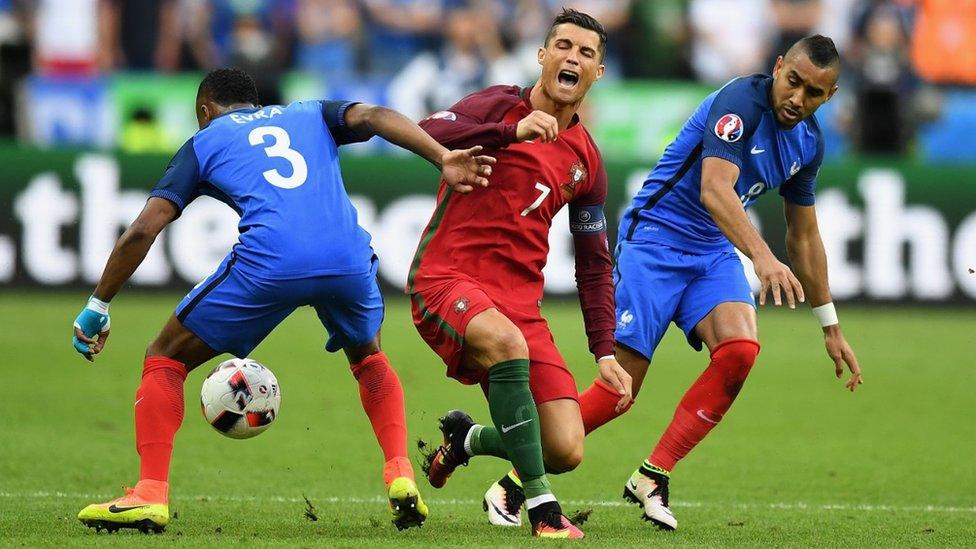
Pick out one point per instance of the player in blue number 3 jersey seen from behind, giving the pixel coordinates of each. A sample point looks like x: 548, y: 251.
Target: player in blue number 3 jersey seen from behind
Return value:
x: 300, y: 244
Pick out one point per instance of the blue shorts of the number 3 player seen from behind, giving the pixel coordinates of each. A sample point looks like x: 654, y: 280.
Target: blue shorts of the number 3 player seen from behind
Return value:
x: 233, y: 312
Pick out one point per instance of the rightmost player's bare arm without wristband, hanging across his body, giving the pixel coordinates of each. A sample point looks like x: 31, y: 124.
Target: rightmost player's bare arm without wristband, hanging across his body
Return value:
x: 719, y: 198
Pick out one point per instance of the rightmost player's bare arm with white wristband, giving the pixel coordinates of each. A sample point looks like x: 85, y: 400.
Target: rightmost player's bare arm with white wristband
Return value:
x: 805, y: 247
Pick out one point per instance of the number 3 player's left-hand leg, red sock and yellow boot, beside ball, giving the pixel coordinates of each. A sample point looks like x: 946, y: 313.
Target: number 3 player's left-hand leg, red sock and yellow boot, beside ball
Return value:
x: 159, y: 414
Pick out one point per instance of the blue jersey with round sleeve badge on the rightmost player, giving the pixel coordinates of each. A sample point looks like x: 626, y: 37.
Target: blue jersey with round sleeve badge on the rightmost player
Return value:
x: 735, y: 123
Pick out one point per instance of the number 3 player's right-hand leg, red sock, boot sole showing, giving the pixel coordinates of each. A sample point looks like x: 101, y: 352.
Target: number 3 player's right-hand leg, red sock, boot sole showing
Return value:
x: 382, y: 397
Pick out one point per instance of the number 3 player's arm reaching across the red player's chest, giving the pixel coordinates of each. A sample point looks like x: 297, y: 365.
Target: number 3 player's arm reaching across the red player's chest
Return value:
x: 462, y: 169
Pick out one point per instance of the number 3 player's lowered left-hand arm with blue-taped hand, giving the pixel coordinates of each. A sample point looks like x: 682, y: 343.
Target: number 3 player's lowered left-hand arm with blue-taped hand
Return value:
x: 129, y: 252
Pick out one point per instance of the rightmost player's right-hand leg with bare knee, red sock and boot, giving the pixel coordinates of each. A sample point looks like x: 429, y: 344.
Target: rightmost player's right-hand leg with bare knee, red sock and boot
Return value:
x: 729, y: 331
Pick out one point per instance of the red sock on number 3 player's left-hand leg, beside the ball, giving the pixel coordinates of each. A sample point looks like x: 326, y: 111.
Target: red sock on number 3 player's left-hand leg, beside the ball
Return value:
x: 159, y: 413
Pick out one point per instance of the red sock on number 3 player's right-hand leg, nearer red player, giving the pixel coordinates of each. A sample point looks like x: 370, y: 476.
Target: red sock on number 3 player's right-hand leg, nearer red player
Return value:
x: 382, y: 398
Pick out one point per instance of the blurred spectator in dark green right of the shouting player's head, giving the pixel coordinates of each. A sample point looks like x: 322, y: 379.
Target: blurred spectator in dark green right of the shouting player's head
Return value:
x: 655, y: 41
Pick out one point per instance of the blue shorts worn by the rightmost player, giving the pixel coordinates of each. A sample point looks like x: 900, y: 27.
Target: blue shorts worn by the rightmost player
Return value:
x: 656, y: 284
